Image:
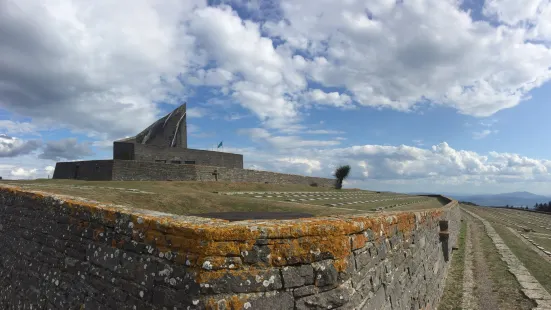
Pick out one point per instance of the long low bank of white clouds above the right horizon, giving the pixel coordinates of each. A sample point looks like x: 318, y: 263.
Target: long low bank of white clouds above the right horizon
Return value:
x: 438, y: 164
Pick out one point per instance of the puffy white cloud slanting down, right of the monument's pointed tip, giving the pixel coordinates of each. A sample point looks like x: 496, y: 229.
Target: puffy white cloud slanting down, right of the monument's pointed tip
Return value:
x: 260, y: 77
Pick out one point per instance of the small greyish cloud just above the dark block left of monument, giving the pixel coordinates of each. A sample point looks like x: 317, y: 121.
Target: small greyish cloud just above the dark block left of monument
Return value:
x: 68, y: 149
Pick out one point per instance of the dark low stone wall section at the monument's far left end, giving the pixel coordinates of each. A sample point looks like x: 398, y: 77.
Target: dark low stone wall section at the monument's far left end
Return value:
x: 92, y: 170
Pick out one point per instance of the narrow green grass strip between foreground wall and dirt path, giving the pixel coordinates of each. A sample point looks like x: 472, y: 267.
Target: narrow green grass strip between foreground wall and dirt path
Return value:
x: 452, y: 296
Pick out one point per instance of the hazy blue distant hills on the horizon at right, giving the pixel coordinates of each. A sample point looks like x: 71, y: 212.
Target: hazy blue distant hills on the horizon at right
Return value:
x: 491, y: 200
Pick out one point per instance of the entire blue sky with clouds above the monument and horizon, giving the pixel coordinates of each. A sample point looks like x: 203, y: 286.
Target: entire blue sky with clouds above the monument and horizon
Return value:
x: 414, y: 95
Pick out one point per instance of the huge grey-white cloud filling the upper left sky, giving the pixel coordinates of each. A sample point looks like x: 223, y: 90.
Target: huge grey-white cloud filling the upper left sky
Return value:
x: 103, y: 65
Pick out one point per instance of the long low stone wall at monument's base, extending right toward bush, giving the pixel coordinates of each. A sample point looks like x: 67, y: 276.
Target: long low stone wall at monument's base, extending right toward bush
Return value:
x: 128, y: 170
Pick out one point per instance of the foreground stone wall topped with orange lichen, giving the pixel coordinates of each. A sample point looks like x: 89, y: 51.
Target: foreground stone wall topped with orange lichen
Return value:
x: 64, y: 253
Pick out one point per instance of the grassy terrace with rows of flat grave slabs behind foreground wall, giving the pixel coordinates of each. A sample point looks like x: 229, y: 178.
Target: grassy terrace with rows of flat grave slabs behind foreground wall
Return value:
x: 203, y: 197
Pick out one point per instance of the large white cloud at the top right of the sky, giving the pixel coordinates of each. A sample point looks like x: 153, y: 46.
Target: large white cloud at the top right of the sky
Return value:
x: 384, y: 61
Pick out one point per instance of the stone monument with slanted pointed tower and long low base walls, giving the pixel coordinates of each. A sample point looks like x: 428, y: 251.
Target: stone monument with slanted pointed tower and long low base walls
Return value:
x: 160, y: 153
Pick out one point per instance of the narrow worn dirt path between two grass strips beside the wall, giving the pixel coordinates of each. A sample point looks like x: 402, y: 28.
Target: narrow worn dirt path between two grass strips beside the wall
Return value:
x: 484, y: 287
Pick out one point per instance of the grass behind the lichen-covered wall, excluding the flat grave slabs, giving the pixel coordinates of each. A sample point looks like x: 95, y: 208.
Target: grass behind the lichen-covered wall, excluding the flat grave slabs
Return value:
x: 183, y: 198
